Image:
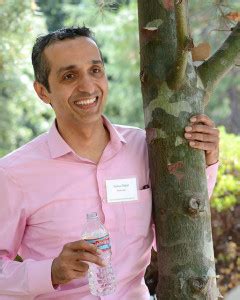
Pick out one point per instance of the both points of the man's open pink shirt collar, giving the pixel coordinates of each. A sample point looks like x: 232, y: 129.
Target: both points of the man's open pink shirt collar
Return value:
x: 58, y: 147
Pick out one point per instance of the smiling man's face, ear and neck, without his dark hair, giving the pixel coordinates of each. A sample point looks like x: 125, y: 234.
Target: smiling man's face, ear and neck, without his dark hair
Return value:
x: 77, y: 90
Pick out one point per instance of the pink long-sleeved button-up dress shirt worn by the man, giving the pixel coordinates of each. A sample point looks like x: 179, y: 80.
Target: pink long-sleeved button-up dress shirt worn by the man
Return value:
x: 46, y: 191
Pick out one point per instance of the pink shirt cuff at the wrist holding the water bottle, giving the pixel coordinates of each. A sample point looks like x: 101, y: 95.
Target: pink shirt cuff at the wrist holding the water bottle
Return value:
x: 39, y: 277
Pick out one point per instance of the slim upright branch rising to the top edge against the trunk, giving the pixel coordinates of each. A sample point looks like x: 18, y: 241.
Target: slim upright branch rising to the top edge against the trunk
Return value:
x: 177, y: 75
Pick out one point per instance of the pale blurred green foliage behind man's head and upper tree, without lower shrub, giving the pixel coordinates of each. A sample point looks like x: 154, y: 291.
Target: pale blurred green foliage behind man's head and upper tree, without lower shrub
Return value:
x: 22, y: 116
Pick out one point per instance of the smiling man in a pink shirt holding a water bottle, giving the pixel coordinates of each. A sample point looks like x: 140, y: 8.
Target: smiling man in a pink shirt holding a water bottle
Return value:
x: 50, y: 184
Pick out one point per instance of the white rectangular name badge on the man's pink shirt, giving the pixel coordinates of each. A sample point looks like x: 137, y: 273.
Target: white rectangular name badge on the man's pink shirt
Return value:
x: 120, y: 190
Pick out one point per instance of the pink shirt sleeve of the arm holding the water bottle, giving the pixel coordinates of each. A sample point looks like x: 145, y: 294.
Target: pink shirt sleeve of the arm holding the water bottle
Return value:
x: 18, y: 278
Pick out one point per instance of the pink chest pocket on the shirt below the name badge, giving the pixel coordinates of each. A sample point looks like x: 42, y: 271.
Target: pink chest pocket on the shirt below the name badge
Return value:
x: 138, y: 214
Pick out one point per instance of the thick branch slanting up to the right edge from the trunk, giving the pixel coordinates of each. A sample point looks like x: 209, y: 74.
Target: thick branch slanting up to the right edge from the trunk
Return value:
x: 212, y: 70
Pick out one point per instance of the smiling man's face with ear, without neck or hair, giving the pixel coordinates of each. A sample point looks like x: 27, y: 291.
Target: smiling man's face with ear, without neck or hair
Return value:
x: 77, y: 80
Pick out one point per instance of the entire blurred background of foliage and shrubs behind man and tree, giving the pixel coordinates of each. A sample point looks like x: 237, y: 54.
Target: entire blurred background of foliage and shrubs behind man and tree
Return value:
x: 23, y: 116
